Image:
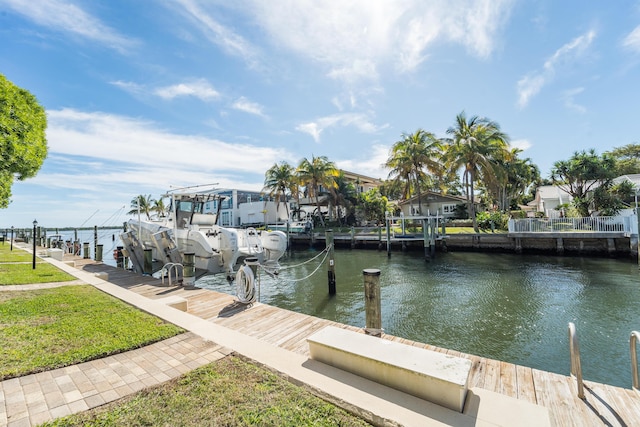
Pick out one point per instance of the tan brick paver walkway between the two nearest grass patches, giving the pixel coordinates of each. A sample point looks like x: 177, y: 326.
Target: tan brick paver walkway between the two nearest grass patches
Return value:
x: 36, y: 398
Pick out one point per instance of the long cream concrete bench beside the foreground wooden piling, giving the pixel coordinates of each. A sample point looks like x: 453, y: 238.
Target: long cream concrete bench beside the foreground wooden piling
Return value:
x: 432, y: 376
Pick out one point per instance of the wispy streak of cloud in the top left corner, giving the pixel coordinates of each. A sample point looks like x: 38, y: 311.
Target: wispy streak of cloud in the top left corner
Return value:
x: 66, y: 17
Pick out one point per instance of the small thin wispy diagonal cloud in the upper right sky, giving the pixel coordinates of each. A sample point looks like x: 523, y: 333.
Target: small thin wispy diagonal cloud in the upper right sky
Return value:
x: 531, y: 84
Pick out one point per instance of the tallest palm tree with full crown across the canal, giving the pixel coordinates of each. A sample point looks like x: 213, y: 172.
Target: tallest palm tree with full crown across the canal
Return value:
x: 474, y: 145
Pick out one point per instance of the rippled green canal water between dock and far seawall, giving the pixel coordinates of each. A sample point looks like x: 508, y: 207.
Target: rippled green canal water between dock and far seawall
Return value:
x: 508, y: 307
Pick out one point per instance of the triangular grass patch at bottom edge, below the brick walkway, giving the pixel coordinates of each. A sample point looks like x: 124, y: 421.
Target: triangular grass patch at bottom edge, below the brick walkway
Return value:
x: 229, y: 392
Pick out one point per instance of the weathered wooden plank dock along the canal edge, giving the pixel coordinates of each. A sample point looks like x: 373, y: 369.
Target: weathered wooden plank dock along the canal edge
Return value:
x: 604, y: 404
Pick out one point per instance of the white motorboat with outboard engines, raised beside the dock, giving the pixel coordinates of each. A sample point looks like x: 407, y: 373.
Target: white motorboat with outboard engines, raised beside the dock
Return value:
x: 187, y: 229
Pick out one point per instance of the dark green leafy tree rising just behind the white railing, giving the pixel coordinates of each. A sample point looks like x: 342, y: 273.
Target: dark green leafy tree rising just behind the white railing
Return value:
x: 581, y: 175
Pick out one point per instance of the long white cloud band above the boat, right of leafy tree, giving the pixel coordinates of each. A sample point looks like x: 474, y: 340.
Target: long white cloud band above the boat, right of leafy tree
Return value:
x: 141, y: 144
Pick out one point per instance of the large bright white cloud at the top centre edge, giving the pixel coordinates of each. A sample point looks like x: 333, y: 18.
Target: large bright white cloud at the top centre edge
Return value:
x: 354, y: 39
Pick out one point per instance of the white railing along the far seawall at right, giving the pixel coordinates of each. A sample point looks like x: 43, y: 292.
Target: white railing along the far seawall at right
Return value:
x: 621, y: 224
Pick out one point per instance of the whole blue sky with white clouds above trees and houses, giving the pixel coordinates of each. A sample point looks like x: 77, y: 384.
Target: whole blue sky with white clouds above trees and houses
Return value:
x: 146, y: 95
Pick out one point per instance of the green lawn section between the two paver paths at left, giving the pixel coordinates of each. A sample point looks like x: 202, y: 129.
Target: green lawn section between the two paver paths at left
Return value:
x: 51, y: 328
